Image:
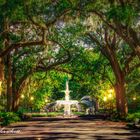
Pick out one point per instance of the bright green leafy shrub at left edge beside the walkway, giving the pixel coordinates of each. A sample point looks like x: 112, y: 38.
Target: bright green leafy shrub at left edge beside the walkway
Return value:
x: 8, y: 118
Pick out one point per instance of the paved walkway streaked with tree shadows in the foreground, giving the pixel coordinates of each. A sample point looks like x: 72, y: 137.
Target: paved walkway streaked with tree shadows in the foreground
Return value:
x: 69, y: 129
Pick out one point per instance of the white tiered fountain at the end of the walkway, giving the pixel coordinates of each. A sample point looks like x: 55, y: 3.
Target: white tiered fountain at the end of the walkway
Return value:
x: 67, y: 102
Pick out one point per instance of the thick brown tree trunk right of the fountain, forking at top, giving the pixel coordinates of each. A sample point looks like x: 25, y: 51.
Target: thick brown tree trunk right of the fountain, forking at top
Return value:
x: 108, y: 49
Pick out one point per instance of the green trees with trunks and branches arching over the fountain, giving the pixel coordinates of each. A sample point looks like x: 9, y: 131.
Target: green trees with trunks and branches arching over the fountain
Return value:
x: 96, y: 44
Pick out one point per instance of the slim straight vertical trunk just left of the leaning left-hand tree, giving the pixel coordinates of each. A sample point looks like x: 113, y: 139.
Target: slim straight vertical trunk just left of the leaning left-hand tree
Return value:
x: 9, y: 83
